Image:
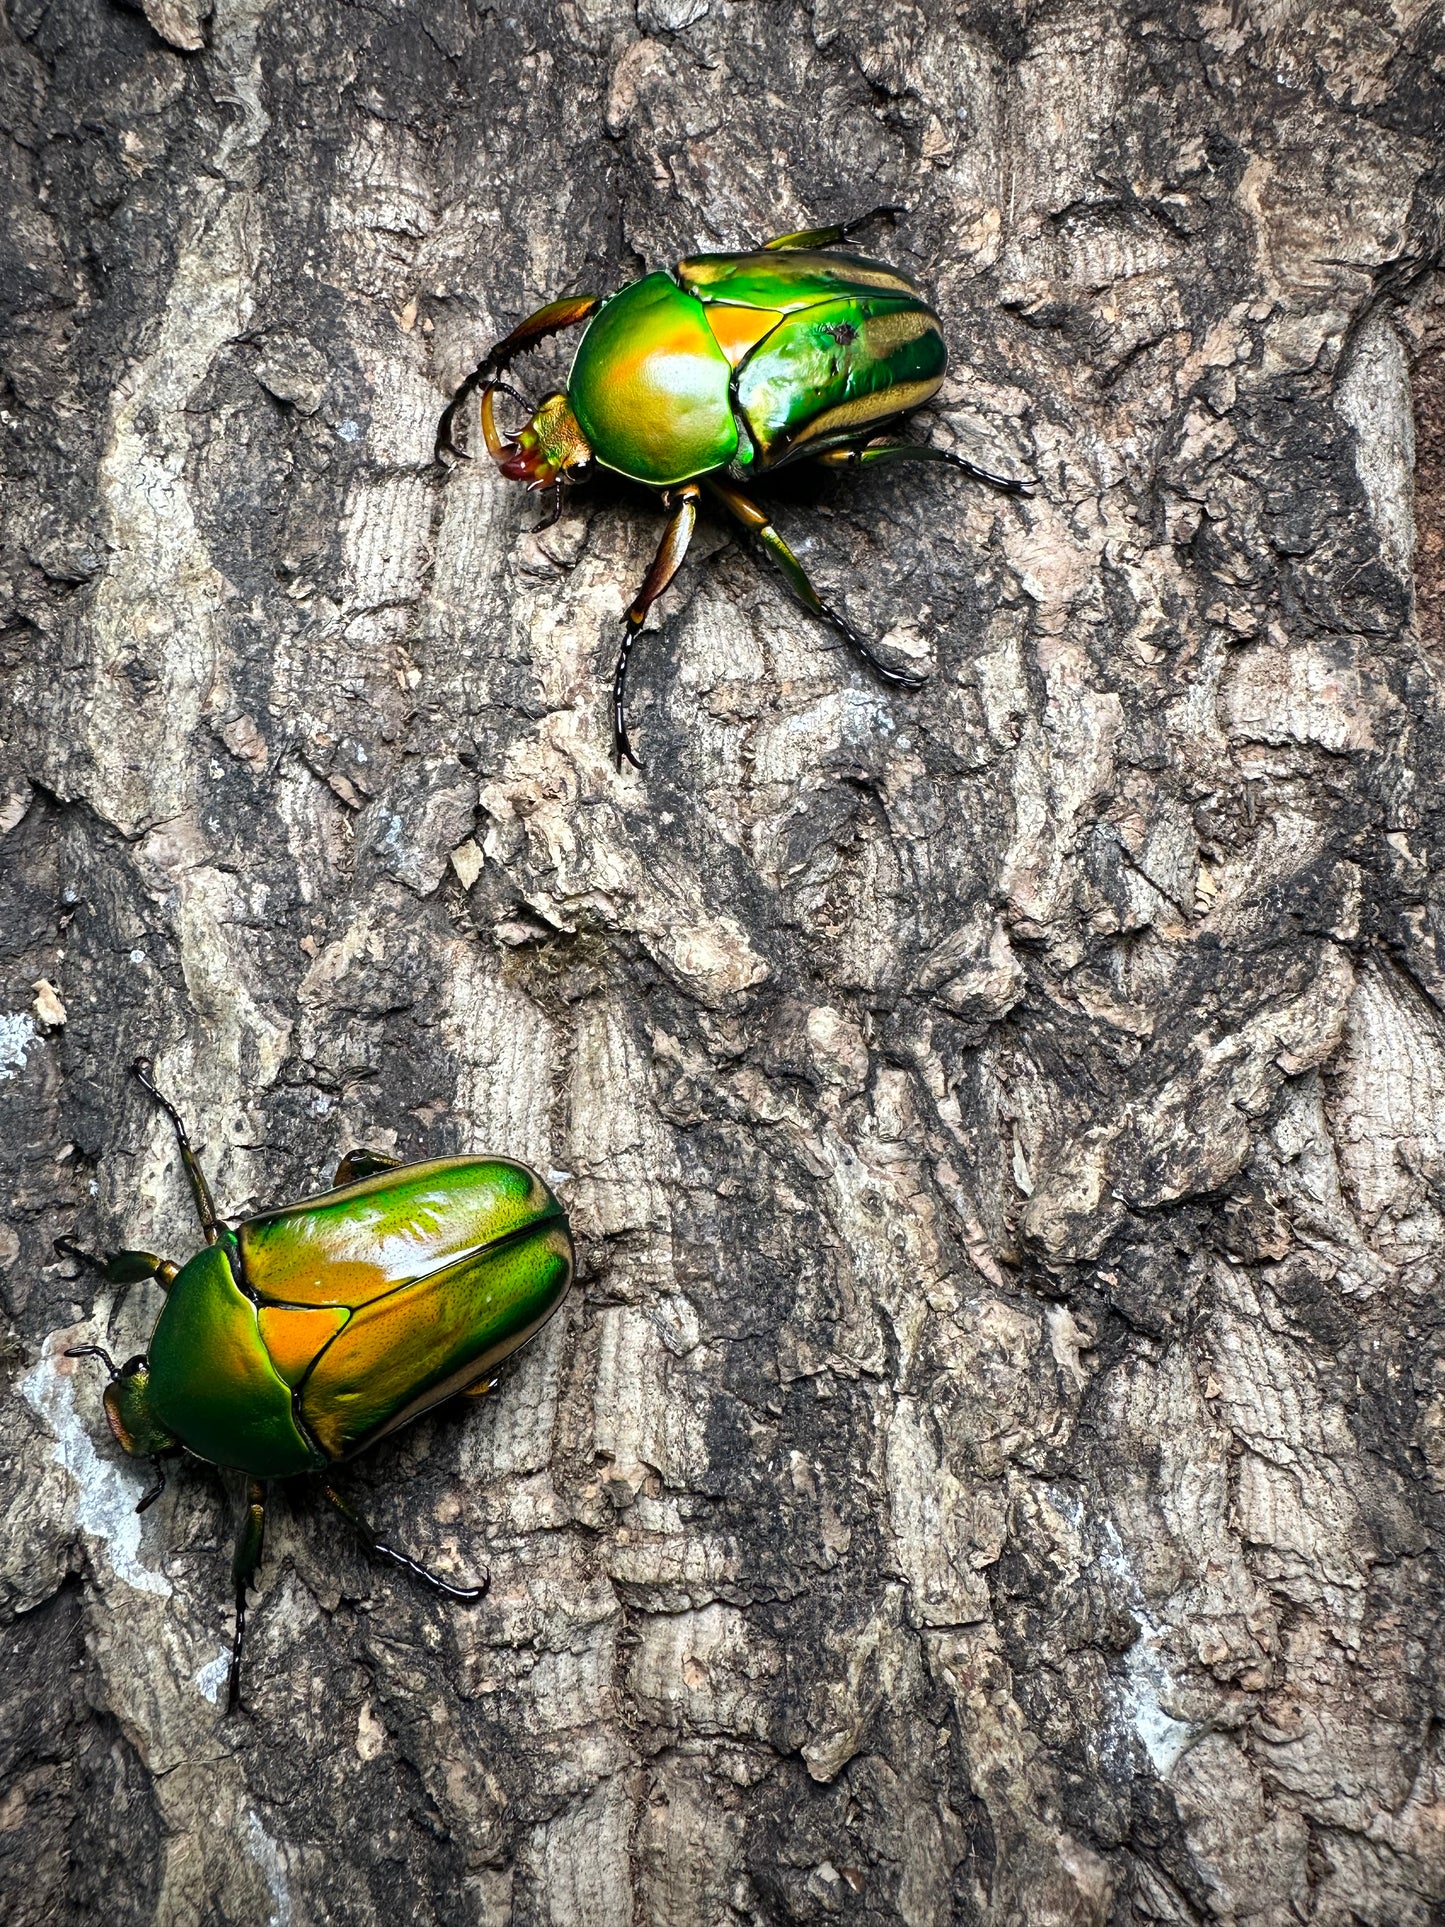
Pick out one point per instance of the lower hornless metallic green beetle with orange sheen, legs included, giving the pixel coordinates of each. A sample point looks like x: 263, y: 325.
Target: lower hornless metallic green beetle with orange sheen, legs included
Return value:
x: 298, y: 1338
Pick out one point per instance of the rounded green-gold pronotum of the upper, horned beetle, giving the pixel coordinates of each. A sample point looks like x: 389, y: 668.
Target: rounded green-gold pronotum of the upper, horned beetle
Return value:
x: 650, y: 386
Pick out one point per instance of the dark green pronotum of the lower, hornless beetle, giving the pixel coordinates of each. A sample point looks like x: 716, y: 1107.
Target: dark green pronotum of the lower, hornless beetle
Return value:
x: 213, y: 1383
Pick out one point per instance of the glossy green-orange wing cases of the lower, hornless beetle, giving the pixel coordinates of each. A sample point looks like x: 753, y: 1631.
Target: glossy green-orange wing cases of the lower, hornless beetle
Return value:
x: 392, y: 1294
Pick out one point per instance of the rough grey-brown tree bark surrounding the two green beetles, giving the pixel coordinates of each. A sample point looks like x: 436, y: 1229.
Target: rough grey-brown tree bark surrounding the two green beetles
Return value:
x: 993, y: 1465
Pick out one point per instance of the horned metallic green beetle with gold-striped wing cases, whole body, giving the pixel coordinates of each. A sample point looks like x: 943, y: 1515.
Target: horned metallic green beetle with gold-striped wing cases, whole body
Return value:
x: 722, y: 371
